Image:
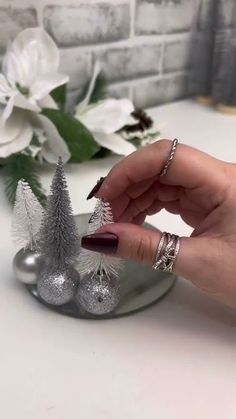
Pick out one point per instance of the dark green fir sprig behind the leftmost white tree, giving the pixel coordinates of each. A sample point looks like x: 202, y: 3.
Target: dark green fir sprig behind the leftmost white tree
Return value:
x: 20, y: 166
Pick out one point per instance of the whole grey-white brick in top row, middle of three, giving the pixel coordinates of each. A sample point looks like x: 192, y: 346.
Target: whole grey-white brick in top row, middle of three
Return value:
x: 87, y: 23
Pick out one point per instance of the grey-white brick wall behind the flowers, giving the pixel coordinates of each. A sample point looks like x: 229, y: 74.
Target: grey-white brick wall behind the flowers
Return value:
x: 144, y: 45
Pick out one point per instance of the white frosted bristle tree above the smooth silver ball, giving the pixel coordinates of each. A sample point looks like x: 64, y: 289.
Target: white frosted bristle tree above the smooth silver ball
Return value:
x: 27, y: 217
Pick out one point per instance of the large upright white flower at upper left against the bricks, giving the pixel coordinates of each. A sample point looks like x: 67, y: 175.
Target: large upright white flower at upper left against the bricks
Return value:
x: 30, y: 72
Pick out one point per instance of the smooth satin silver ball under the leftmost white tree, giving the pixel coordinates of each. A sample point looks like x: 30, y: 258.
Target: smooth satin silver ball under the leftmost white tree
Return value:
x: 28, y: 266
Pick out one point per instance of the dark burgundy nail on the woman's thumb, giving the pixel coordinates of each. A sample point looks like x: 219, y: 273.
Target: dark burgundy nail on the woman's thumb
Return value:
x: 100, y: 242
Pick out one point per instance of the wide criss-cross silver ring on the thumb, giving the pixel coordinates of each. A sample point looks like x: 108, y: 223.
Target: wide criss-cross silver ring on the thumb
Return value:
x: 167, y: 252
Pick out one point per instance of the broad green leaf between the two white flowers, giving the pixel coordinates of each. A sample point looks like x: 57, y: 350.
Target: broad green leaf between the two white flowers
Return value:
x: 79, y: 139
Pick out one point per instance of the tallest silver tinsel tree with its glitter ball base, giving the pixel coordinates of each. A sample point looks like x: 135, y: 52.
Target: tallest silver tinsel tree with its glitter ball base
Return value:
x: 59, y: 245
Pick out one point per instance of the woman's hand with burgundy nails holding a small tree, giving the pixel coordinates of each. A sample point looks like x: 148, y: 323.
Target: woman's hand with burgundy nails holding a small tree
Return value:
x: 200, y: 188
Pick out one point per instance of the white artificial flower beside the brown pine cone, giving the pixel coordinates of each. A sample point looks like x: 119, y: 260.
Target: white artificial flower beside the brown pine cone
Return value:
x: 105, y: 118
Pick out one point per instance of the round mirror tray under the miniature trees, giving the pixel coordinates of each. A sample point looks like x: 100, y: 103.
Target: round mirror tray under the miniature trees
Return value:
x: 141, y: 287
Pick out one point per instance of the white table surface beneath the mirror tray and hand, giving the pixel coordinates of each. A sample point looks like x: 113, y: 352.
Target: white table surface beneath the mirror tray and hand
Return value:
x: 176, y: 360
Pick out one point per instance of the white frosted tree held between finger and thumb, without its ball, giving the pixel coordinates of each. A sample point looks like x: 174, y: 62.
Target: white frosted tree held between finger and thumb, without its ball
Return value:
x: 93, y: 262
